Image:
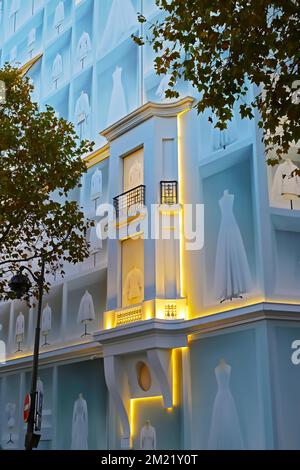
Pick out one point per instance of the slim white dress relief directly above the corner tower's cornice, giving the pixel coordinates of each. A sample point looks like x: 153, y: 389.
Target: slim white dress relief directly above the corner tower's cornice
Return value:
x: 117, y: 107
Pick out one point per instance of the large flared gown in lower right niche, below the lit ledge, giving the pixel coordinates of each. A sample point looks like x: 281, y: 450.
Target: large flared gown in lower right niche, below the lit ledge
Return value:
x: 225, y: 431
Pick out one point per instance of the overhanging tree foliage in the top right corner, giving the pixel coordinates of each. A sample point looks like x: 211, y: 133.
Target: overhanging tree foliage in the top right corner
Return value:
x: 221, y: 46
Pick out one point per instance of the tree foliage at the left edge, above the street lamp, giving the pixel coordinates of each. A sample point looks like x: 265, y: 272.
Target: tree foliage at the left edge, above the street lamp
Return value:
x: 41, y: 162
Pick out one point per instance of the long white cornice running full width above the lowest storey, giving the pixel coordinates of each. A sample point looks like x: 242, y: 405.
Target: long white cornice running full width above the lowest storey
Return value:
x: 168, y: 332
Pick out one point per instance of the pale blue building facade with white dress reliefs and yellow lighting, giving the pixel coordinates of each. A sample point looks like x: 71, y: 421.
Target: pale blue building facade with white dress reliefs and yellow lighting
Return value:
x: 186, y: 340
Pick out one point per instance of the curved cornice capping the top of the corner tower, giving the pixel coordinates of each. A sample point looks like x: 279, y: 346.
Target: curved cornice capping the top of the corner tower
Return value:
x: 145, y: 112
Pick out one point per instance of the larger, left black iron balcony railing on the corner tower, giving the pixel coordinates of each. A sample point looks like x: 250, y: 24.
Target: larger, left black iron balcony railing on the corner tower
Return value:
x: 130, y: 203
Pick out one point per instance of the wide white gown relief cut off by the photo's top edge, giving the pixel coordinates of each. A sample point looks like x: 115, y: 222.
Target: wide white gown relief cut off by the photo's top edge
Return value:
x: 121, y: 20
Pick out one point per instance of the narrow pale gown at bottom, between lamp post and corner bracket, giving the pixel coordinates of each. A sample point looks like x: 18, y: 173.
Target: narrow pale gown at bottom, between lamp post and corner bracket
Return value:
x: 80, y: 425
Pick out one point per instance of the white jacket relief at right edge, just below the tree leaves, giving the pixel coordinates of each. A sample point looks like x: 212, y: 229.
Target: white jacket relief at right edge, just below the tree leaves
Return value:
x: 286, y: 184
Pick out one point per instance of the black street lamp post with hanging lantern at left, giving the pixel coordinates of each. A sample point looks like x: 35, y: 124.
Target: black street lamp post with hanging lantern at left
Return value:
x: 20, y: 284
